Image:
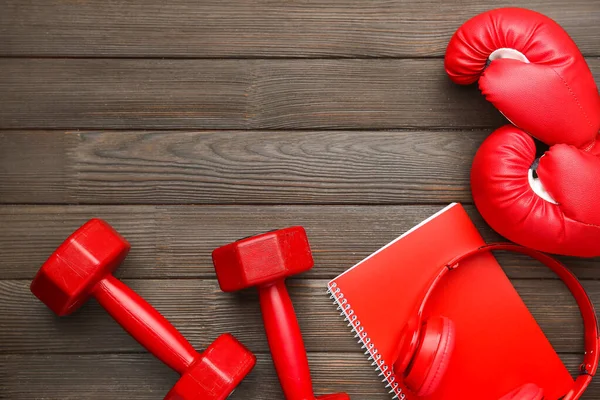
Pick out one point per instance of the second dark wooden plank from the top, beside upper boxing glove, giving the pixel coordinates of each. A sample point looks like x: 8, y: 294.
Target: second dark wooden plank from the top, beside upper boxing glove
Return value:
x: 239, y: 94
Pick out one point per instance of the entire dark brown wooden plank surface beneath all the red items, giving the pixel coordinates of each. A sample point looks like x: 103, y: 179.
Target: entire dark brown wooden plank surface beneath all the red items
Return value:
x: 188, y: 124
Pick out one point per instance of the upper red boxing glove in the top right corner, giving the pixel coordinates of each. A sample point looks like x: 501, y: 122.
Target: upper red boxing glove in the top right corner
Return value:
x: 536, y: 76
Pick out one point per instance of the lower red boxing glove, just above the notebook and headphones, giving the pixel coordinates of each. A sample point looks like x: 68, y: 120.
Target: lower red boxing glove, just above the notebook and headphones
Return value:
x: 559, y: 216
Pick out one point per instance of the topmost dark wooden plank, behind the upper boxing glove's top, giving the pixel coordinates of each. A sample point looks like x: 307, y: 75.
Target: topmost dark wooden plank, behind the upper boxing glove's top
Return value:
x: 324, y: 28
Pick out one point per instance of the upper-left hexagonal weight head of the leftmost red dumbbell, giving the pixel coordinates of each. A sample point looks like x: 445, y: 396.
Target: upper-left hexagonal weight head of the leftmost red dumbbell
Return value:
x: 65, y: 281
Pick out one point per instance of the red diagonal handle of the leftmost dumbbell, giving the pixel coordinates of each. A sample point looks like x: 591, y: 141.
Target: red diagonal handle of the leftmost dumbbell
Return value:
x: 145, y: 324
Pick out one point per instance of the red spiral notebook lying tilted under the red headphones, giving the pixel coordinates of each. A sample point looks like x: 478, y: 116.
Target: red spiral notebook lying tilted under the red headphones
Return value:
x: 499, y: 345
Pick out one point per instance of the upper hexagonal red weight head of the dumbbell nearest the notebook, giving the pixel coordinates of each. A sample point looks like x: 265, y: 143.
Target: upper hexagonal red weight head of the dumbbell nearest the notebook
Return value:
x: 261, y: 259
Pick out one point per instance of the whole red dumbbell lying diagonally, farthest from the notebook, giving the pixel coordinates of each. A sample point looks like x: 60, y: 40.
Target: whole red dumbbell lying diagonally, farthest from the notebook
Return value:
x: 82, y: 267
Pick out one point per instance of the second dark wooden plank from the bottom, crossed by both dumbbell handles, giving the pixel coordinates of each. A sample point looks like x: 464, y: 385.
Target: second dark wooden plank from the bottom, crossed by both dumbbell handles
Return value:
x: 202, y: 312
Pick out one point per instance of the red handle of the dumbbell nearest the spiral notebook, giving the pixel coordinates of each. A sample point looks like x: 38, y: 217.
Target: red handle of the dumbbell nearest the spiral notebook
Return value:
x: 285, y: 341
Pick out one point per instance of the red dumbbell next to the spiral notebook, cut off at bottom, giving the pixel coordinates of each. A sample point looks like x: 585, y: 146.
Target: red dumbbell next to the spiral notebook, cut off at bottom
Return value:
x: 265, y: 261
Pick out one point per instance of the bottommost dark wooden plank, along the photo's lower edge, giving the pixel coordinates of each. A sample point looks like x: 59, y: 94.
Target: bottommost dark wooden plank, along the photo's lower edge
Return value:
x: 139, y: 377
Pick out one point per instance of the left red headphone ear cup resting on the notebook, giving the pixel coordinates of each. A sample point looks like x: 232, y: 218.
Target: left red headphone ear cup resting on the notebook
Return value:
x: 431, y: 359
